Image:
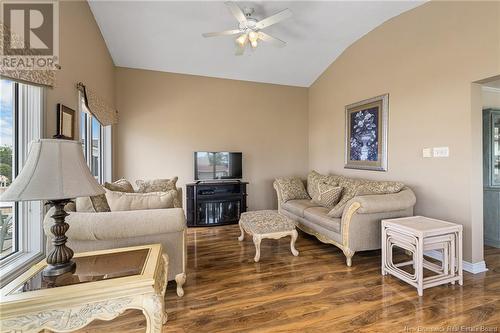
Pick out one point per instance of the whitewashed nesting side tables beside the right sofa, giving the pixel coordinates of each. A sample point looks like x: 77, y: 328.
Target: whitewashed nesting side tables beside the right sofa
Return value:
x: 417, y: 234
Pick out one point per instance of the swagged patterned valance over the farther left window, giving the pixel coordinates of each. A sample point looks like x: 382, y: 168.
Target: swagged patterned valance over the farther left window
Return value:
x: 97, y: 106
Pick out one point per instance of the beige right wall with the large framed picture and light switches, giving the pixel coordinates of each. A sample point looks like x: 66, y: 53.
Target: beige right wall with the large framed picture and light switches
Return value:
x: 426, y: 59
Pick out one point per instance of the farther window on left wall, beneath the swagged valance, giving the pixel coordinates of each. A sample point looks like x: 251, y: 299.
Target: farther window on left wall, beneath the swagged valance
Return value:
x: 96, y: 145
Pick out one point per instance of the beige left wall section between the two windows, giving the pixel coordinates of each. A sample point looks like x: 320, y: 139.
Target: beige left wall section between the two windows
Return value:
x: 83, y: 57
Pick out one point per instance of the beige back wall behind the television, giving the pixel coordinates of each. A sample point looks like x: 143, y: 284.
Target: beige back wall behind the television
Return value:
x: 165, y: 117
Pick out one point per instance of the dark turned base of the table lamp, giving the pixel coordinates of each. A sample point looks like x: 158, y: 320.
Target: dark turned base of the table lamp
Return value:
x: 59, y: 259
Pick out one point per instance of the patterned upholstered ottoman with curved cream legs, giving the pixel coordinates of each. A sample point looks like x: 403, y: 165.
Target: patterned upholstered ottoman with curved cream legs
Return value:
x: 267, y: 224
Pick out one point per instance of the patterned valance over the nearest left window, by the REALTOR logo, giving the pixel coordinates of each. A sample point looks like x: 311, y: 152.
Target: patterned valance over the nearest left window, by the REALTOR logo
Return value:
x: 34, y: 76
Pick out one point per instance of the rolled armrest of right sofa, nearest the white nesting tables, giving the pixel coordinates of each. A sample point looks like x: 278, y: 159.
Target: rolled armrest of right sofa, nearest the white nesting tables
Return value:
x: 381, y: 203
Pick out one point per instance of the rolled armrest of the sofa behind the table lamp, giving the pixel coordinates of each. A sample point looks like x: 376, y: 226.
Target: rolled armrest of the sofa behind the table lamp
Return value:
x: 121, y: 224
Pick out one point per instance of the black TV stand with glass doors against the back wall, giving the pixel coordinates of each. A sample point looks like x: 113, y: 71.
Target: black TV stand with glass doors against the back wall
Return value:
x: 214, y: 202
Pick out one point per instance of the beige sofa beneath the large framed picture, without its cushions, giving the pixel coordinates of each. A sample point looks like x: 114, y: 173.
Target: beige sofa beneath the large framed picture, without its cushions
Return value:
x: 359, y: 227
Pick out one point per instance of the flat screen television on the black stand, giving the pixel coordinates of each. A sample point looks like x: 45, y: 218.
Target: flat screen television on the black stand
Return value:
x: 217, y: 165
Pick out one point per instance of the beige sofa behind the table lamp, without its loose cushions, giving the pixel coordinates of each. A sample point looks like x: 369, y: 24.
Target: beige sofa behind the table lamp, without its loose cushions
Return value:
x: 99, y: 231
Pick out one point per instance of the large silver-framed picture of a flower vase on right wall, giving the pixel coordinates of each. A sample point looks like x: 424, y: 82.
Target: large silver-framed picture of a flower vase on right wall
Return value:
x: 366, y: 134
